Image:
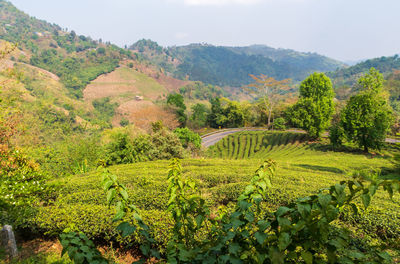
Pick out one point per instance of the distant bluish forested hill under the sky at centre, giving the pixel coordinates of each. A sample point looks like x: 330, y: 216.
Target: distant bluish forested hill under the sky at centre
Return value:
x: 231, y: 66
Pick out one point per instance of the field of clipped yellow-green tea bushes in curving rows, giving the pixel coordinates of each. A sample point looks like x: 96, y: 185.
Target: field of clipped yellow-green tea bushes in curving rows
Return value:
x: 303, y: 169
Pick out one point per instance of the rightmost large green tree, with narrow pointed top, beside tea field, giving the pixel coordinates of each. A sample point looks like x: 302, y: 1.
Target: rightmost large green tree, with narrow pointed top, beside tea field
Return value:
x: 367, y: 117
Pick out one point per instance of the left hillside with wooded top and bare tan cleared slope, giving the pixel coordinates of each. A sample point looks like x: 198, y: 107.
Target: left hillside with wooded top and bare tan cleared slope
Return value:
x: 100, y: 73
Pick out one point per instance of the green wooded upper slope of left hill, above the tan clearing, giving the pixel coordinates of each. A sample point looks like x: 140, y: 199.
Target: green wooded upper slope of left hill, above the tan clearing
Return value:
x: 77, y: 60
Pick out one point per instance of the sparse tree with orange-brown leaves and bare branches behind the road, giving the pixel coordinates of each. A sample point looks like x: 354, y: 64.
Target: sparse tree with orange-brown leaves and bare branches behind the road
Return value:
x: 268, y: 89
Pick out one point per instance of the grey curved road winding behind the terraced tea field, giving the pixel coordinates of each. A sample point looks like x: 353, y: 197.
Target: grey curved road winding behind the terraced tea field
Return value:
x: 212, y: 138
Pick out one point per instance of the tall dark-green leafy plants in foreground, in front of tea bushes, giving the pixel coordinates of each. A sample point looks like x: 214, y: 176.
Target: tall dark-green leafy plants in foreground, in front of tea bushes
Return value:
x: 299, y: 231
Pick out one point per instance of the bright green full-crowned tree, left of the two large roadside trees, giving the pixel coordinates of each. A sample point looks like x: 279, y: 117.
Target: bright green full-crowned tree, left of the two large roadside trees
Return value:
x: 315, y: 107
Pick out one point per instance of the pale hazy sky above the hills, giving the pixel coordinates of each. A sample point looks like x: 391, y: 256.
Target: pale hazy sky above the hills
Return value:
x: 341, y: 29
